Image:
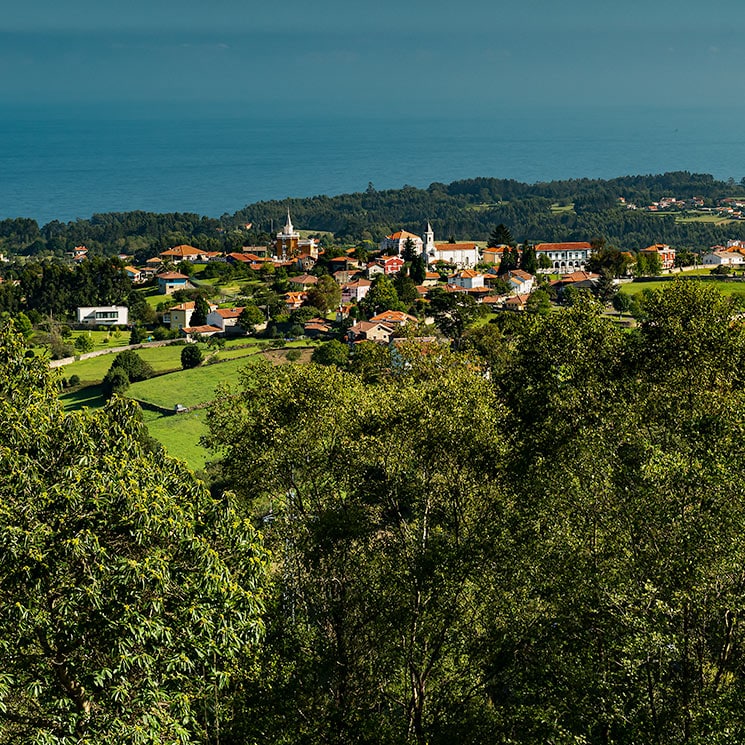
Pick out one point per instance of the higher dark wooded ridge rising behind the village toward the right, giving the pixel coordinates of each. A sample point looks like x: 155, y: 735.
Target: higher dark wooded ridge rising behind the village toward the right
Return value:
x: 469, y: 209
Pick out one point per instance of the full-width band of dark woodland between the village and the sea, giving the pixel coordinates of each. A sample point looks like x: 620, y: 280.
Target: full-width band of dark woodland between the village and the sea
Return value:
x: 467, y: 209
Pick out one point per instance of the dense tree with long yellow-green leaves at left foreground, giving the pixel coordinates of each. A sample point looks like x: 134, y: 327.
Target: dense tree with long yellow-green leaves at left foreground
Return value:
x: 127, y: 591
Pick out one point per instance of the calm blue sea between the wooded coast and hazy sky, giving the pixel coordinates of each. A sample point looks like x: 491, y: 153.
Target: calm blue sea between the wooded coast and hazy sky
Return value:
x: 68, y: 163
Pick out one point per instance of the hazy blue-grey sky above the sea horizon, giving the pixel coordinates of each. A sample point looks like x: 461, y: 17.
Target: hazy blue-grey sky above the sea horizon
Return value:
x: 479, y: 58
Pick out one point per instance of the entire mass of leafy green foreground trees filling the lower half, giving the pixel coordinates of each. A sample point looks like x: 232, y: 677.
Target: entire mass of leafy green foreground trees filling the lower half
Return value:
x: 537, y: 538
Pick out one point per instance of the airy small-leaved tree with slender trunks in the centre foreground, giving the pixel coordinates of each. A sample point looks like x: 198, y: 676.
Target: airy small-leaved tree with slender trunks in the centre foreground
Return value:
x: 378, y: 559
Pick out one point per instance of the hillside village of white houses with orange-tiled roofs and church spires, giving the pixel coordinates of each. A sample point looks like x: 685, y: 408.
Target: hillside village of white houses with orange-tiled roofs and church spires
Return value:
x: 494, y: 277
